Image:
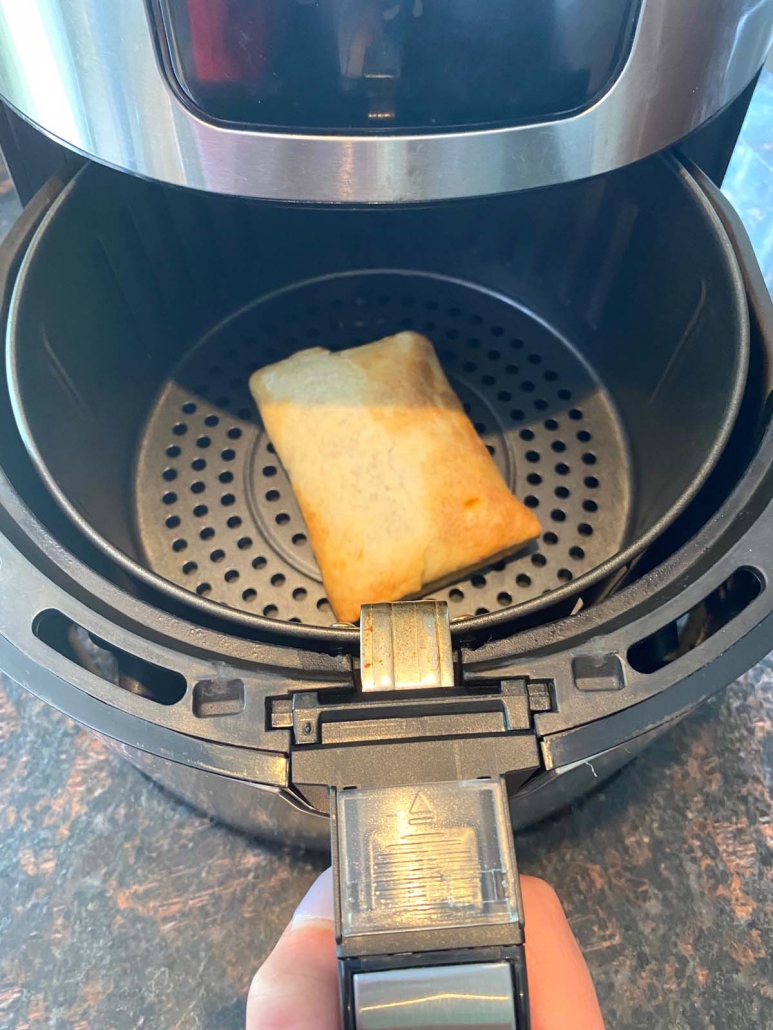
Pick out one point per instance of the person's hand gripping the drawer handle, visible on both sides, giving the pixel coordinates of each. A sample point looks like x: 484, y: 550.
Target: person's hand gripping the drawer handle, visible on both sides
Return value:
x: 297, y: 987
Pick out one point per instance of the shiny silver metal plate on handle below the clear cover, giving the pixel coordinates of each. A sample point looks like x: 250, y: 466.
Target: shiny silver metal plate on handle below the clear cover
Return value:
x: 457, y: 997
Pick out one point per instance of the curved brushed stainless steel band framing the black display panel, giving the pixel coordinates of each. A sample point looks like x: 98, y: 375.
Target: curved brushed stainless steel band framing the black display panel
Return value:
x: 90, y: 76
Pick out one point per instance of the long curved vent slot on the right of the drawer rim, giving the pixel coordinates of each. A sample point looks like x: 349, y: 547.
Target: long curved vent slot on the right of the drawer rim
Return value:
x: 699, y: 625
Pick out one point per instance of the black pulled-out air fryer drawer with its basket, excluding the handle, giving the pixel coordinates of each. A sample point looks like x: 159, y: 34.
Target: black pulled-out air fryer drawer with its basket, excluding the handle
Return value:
x: 612, y: 339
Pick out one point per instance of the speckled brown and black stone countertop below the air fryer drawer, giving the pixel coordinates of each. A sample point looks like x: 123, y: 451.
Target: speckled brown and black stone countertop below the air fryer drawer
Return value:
x: 122, y: 908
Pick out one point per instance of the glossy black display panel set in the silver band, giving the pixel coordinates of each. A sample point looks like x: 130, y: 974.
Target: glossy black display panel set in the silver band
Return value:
x: 374, y: 65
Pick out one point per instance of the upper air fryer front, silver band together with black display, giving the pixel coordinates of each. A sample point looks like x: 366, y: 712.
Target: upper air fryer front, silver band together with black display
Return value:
x: 365, y: 101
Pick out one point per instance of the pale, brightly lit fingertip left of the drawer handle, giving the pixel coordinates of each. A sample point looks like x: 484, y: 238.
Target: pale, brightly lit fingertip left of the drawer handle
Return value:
x: 297, y: 987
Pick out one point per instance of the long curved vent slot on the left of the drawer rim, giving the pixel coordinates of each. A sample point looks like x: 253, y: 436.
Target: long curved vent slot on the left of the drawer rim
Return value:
x: 108, y: 662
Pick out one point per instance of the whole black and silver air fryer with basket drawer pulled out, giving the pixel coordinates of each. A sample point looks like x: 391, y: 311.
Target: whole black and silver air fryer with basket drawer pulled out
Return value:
x: 554, y: 226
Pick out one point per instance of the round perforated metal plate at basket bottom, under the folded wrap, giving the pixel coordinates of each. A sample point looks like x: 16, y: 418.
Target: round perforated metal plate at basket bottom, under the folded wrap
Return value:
x: 215, y: 509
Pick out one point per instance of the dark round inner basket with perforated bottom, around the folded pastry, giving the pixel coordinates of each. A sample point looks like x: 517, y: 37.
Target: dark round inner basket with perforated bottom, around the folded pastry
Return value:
x: 596, y: 332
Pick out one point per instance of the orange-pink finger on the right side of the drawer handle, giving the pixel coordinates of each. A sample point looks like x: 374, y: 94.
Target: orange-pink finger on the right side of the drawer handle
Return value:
x: 561, y: 992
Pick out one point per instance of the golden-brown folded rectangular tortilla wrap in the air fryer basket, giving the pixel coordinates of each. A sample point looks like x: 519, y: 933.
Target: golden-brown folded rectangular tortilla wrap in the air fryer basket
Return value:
x: 397, y: 490
